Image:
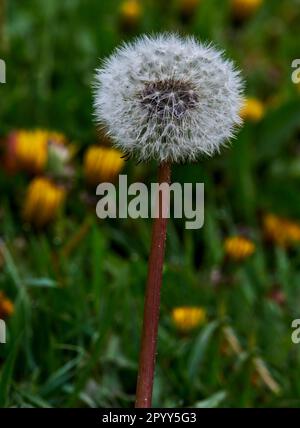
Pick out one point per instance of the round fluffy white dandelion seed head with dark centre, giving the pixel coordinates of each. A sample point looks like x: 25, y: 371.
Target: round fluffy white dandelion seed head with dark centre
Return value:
x: 168, y: 98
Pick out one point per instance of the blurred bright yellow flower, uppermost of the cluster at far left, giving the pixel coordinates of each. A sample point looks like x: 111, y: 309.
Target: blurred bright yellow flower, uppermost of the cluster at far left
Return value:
x: 31, y: 149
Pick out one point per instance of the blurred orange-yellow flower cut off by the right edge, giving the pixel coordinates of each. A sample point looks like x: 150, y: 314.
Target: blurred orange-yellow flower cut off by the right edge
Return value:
x: 281, y: 231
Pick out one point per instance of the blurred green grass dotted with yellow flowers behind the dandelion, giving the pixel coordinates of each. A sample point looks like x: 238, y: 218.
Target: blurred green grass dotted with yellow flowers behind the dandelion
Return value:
x: 72, y: 286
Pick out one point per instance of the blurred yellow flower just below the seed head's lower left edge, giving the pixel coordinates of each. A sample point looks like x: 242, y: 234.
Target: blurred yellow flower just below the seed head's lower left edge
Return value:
x: 102, y: 164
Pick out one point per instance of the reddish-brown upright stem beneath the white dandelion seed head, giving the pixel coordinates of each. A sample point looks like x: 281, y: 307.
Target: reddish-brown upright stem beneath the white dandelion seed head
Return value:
x: 152, y: 299
